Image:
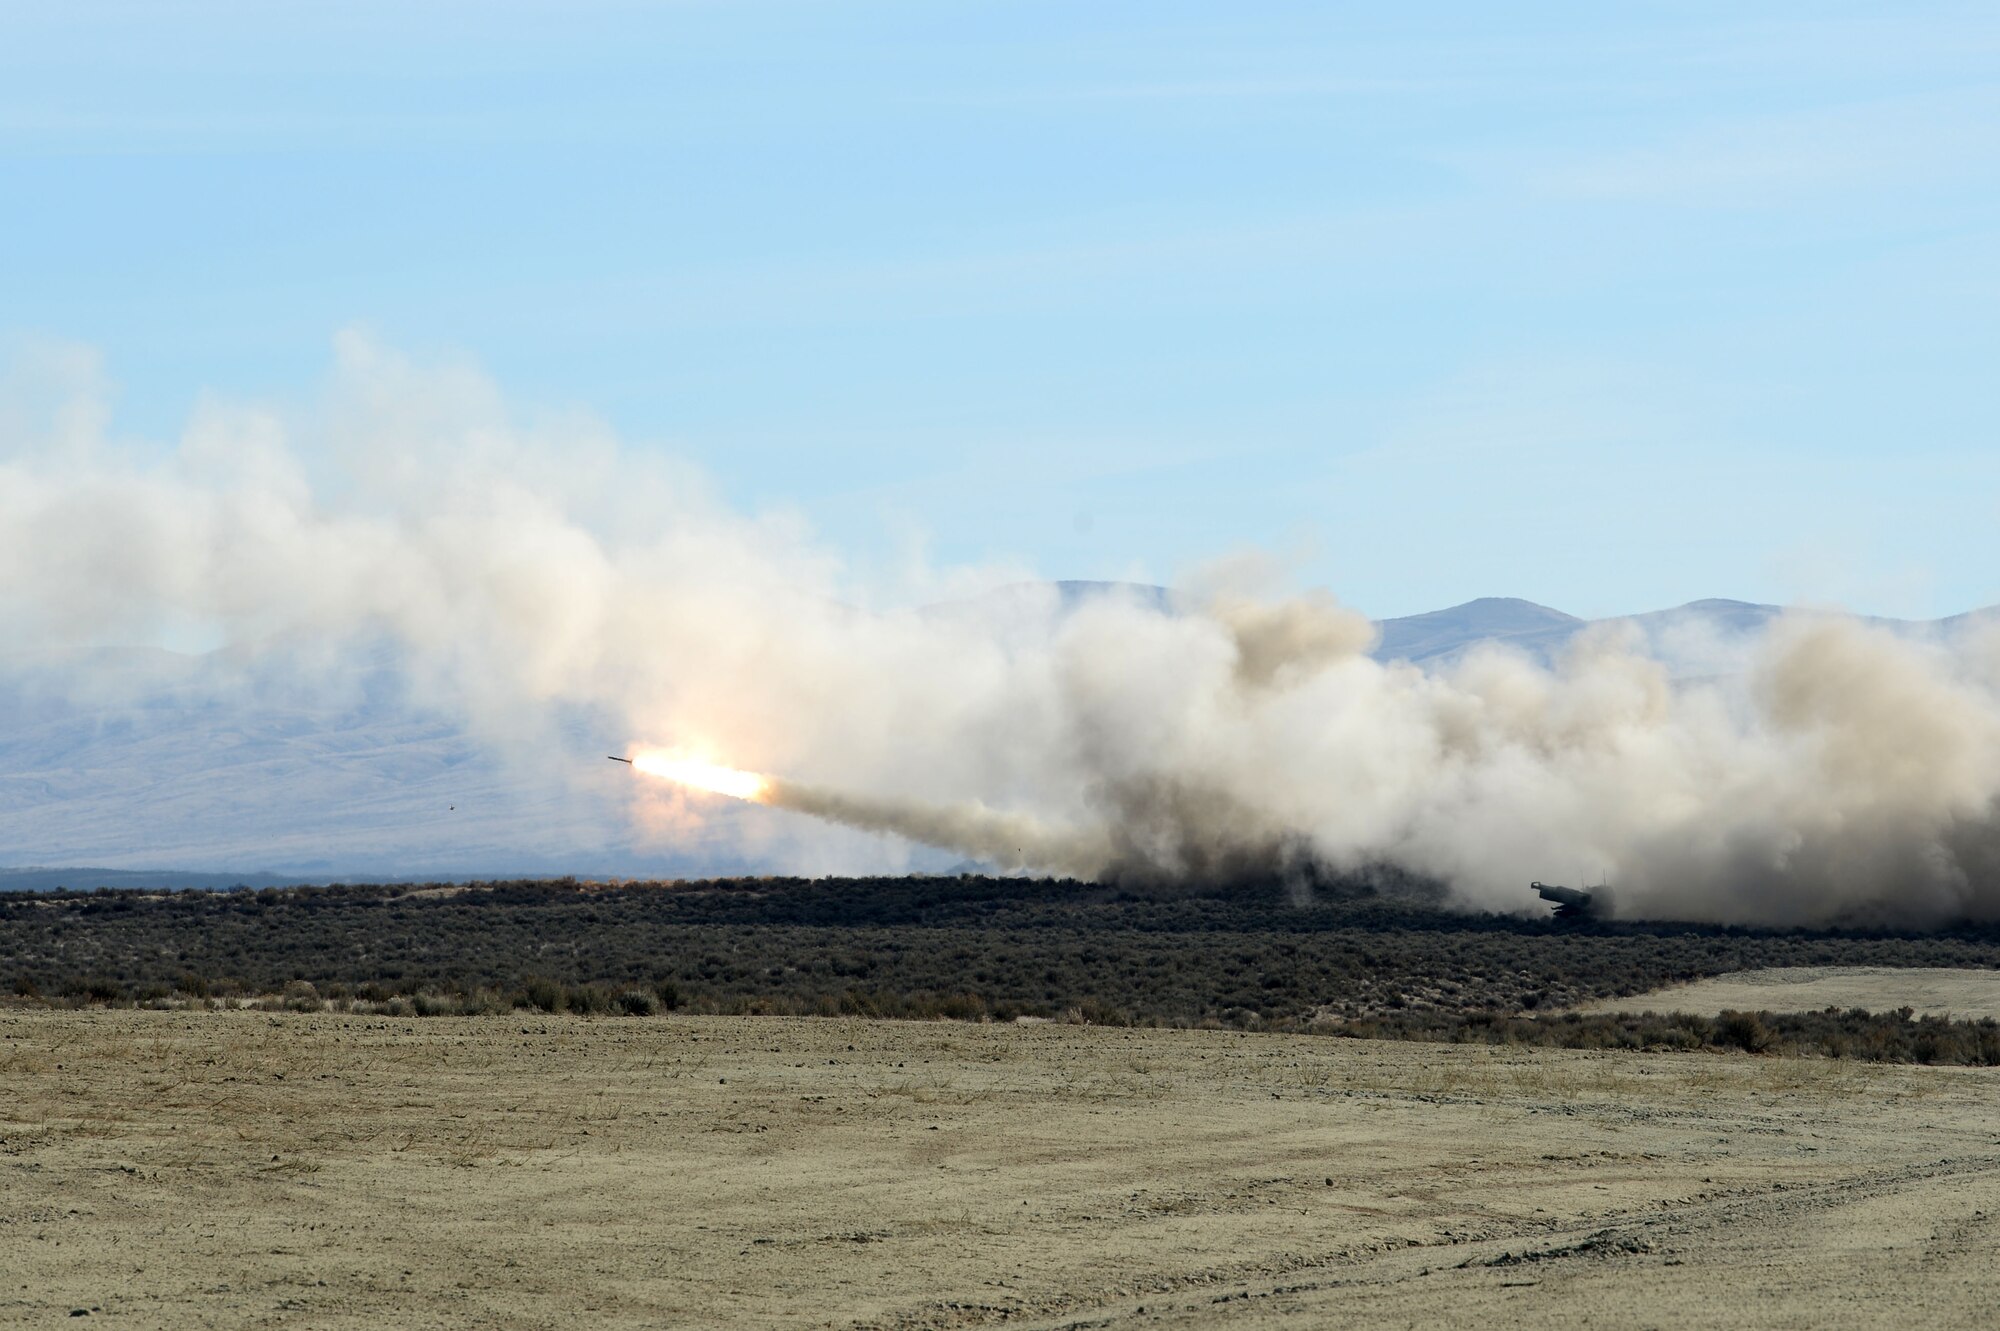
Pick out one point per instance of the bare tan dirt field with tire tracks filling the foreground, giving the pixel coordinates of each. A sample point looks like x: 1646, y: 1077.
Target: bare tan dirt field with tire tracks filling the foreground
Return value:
x: 253, y: 1170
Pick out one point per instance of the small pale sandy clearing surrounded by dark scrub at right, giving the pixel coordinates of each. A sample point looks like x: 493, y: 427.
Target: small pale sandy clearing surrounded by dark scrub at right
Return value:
x: 1809, y: 988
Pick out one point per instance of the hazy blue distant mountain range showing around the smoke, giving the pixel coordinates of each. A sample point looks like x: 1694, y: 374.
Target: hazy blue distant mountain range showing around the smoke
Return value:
x: 209, y: 770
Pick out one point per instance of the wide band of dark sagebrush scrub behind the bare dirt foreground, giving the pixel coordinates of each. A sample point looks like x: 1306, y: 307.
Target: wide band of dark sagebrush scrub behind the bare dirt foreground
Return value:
x: 959, y: 948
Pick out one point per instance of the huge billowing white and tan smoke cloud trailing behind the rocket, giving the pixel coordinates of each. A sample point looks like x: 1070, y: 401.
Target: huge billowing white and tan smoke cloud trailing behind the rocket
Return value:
x: 1843, y: 774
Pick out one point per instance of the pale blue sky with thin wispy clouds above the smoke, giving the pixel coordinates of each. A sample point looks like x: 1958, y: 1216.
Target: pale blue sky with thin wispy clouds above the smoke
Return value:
x: 1607, y: 307
